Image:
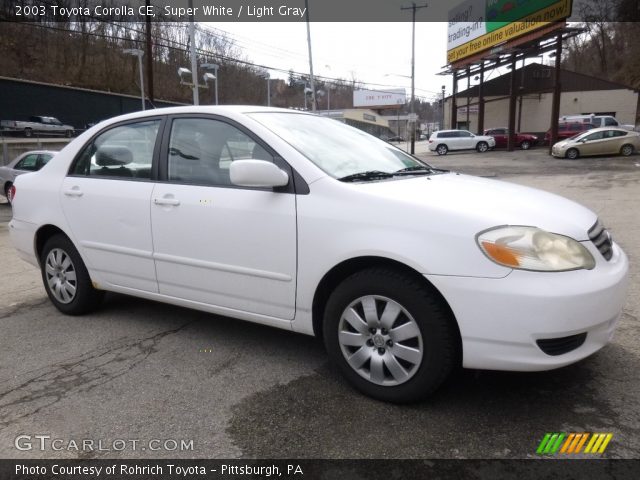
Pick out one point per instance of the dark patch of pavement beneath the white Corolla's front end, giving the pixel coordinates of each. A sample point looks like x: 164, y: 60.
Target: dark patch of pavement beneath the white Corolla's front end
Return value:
x: 475, y: 414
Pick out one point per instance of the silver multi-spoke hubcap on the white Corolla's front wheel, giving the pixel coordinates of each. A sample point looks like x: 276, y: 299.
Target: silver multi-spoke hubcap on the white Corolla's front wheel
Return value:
x: 380, y: 340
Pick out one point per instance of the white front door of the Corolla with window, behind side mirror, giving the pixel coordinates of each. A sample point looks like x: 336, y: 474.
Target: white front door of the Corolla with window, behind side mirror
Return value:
x: 216, y: 243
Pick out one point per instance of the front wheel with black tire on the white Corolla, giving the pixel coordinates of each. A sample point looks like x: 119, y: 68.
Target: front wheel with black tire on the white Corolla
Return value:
x: 437, y: 339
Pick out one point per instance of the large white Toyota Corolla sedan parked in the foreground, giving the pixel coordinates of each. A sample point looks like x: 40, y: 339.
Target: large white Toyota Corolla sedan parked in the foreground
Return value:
x: 301, y: 222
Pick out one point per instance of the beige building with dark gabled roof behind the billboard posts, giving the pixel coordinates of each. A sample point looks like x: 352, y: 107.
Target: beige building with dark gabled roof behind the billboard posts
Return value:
x: 580, y: 94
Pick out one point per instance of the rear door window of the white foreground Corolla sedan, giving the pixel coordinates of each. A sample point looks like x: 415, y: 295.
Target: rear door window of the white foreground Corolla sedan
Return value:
x: 122, y: 152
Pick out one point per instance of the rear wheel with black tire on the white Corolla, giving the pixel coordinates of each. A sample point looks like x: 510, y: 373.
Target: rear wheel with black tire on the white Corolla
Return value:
x: 85, y: 298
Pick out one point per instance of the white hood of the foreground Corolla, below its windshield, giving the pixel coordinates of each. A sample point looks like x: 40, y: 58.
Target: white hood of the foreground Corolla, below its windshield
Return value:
x: 474, y: 204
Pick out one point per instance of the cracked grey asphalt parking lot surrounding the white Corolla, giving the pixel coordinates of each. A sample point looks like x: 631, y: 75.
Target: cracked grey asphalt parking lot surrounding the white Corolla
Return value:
x: 138, y: 370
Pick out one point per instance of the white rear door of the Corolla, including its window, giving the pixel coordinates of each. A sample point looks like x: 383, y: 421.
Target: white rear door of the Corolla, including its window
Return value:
x: 105, y: 199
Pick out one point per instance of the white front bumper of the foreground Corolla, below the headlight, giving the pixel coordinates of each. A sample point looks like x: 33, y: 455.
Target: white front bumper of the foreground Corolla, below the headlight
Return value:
x: 500, y: 320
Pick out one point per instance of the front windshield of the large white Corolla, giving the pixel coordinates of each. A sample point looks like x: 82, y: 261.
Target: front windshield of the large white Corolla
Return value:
x: 338, y: 149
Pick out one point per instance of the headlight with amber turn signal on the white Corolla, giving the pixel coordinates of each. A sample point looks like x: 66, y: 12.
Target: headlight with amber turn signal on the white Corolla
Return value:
x: 530, y: 248
